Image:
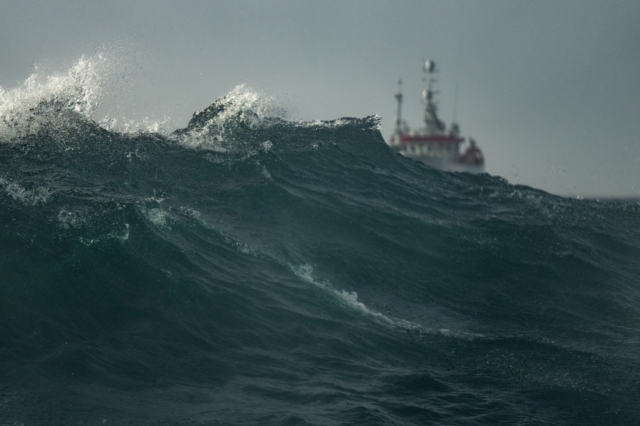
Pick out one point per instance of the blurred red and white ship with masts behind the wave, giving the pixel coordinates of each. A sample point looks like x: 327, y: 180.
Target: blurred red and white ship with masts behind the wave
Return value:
x: 434, y: 144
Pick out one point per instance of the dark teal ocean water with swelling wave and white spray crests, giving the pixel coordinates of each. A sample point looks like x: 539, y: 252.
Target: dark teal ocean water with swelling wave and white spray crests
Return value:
x: 248, y: 269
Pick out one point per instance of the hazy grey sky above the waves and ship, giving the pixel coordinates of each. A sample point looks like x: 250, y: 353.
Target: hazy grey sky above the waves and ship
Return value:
x: 548, y: 89
